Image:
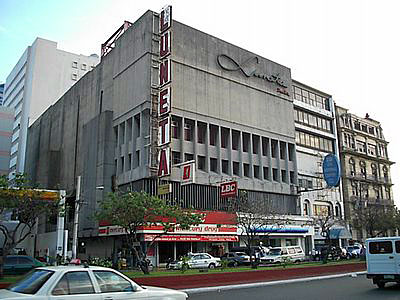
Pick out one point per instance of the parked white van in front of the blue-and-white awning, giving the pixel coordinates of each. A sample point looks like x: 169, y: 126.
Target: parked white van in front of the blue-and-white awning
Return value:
x: 278, y: 255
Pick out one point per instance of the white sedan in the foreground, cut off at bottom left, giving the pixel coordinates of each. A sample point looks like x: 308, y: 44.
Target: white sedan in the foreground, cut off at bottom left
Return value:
x: 80, y: 282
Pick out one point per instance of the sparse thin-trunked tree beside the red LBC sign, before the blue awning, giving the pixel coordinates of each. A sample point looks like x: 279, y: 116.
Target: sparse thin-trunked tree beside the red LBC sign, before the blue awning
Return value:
x: 252, y: 217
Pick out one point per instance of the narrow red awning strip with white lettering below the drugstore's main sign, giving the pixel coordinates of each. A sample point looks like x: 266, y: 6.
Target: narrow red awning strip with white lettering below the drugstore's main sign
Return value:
x: 191, y: 238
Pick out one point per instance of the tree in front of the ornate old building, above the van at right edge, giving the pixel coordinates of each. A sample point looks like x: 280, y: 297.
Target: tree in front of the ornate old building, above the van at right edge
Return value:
x: 375, y: 219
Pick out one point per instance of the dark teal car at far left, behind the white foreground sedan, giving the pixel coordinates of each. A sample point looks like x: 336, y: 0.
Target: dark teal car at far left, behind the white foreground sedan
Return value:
x: 20, y: 264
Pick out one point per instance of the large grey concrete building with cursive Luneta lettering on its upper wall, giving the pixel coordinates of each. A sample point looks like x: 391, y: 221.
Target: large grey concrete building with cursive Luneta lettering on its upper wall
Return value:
x: 231, y: 112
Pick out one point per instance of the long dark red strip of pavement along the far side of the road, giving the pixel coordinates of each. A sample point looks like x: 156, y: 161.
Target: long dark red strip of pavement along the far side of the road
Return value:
x: 220, y: 279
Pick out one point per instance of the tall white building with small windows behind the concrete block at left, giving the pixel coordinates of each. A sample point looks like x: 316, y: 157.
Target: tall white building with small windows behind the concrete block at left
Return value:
x: 39, y: 78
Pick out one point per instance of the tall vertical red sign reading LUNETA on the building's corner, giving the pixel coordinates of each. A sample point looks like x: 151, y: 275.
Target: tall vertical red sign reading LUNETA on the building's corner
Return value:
x: 164, y: 97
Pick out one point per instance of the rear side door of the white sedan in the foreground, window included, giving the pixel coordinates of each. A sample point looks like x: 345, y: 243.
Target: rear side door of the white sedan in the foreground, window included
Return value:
x: 75, y: 285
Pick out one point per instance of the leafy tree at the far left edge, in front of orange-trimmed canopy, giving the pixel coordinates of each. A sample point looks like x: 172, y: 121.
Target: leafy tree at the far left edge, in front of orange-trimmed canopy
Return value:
x: 21, y: 203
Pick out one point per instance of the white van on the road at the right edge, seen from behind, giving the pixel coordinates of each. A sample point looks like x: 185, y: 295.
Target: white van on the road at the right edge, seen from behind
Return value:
x: 383, y: 260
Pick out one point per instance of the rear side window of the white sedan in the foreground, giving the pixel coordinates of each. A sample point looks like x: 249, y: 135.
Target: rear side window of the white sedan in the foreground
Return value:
x: 73, y: 283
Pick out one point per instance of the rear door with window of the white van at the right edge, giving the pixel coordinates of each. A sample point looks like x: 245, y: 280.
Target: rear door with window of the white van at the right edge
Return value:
x: 381, y: 257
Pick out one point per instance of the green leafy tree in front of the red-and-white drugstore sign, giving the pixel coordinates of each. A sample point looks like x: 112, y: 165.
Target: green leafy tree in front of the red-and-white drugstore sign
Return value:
x: 134, y: 210
